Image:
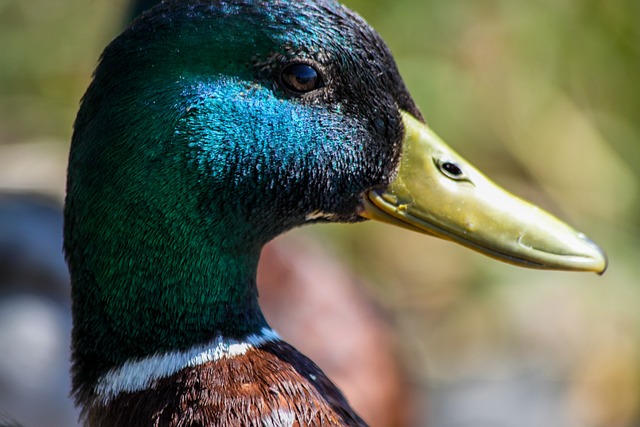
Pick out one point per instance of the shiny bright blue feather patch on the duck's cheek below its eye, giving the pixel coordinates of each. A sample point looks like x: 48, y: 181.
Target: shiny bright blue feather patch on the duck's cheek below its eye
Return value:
x: 243, y: 134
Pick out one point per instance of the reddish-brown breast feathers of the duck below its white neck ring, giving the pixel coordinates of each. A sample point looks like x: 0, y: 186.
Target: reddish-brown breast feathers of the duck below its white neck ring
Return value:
x: 272, y: 385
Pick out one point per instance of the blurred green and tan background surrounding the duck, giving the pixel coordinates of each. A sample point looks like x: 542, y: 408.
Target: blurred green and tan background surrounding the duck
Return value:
x: 543, y: 95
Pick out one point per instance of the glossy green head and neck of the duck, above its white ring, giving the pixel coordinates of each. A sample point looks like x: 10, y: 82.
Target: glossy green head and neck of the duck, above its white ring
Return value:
x: 210, y: 128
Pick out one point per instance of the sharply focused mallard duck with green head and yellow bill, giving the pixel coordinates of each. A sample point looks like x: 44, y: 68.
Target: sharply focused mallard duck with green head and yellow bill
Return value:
x: 209, y: 128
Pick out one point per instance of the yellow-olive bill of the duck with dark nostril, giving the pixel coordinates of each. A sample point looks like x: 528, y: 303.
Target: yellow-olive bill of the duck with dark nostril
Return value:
x: 437, y: 192
